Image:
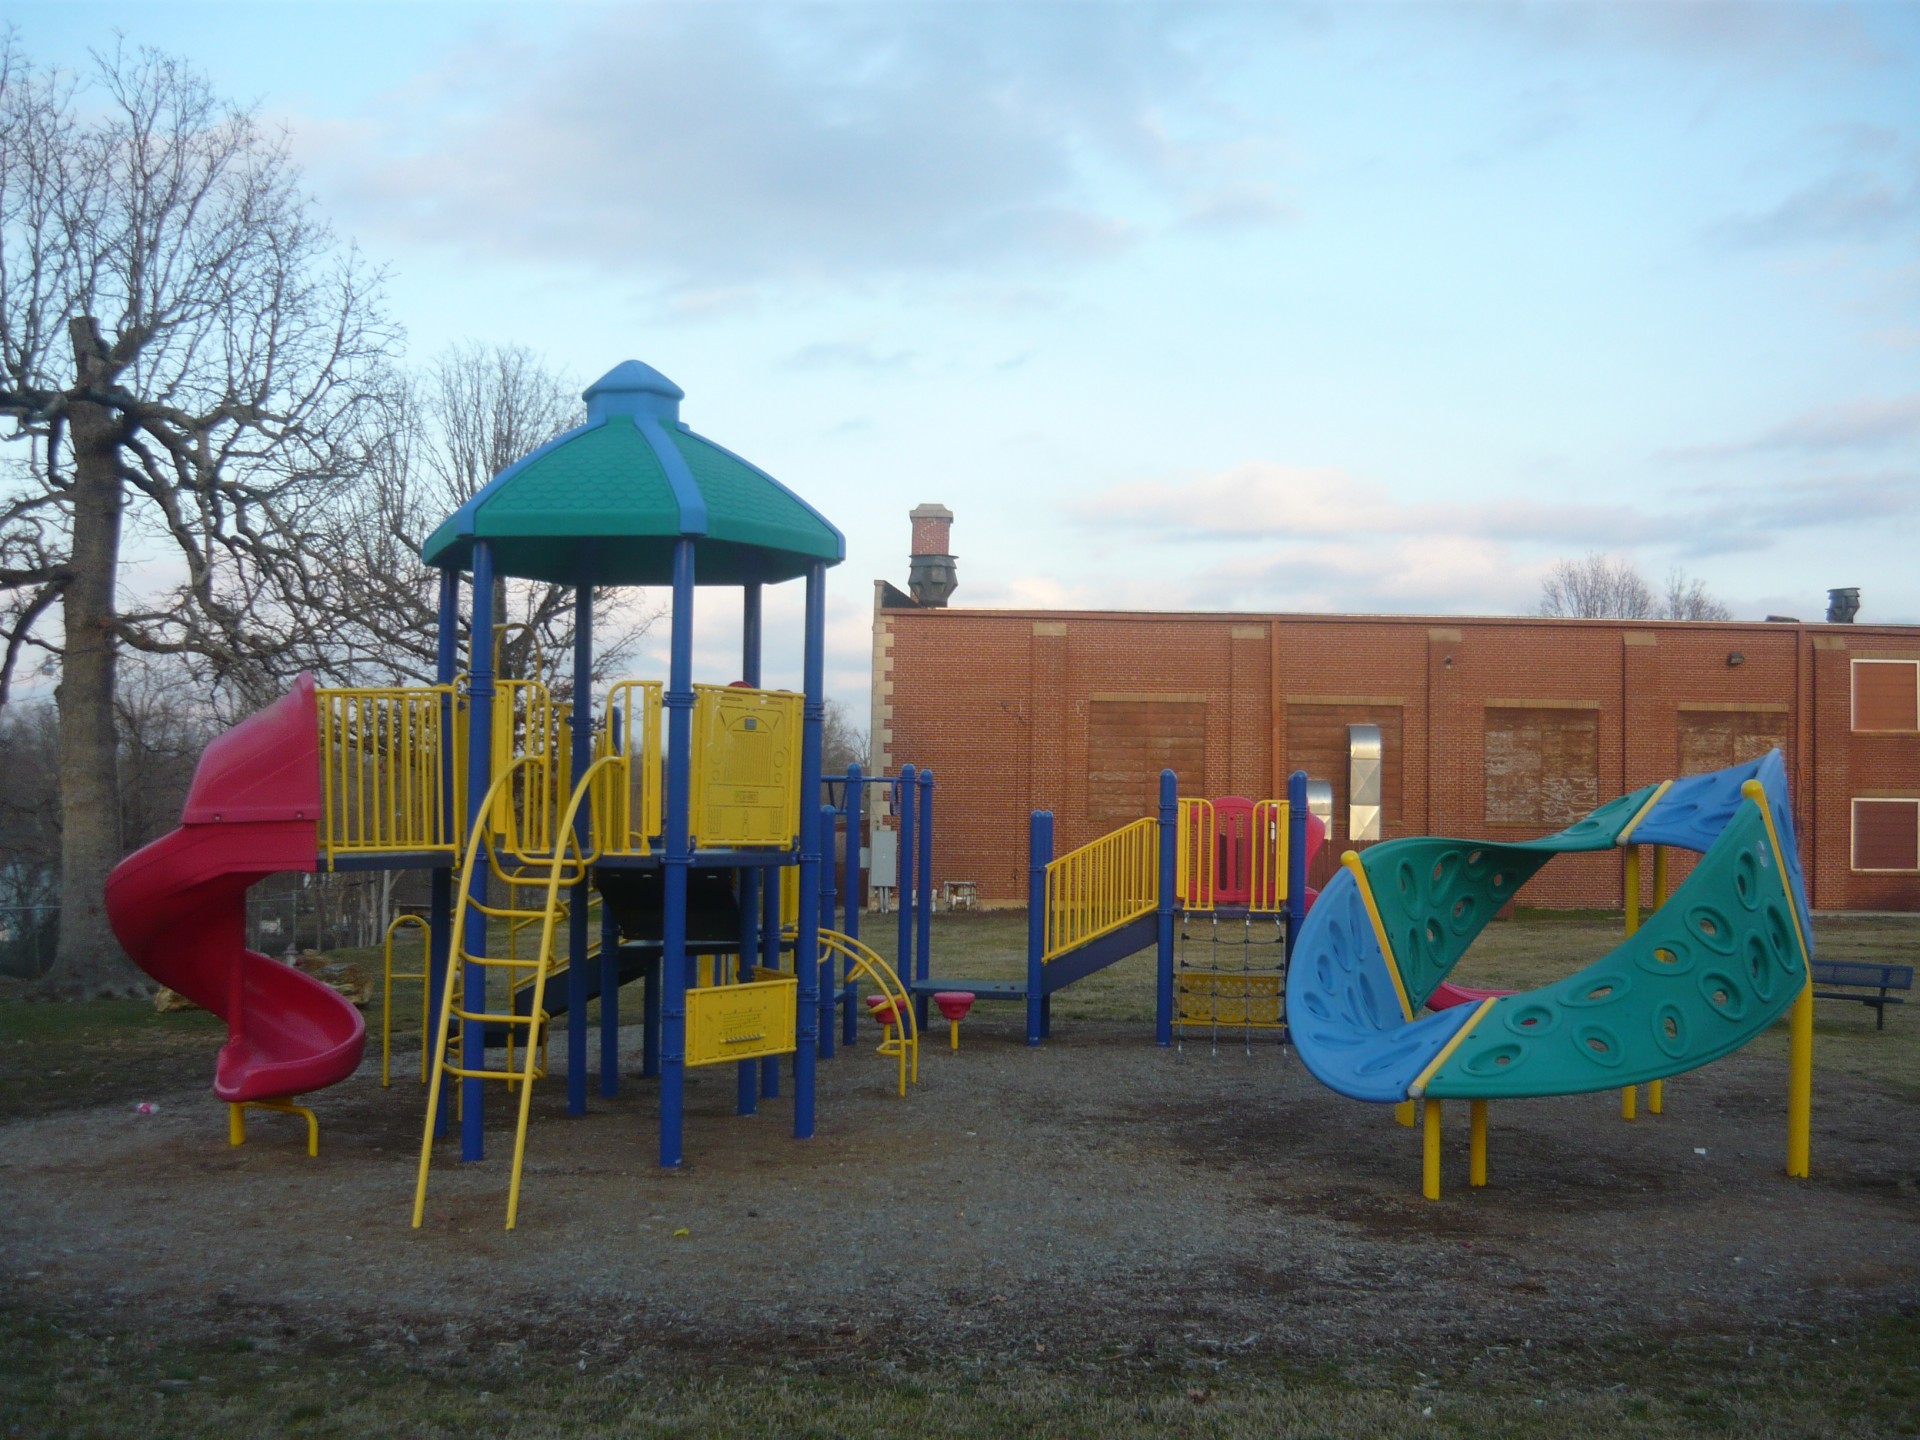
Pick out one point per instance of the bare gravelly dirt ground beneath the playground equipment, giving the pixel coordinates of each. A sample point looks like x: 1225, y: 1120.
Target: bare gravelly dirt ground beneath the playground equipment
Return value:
x: 1095, y: 1197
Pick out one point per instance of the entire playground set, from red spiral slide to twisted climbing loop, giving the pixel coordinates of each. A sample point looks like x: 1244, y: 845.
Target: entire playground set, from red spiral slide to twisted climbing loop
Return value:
x: 688, y: 815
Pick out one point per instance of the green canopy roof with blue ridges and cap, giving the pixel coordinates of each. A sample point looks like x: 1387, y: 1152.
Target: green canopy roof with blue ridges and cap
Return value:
x: 604, y: 506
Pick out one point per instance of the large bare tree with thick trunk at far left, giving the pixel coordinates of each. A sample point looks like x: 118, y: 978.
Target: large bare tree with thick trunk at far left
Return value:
x: 185, y: 358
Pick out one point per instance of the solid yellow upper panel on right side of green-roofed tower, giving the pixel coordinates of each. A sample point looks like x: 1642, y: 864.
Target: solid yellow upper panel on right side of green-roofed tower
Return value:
x: 746, y: 767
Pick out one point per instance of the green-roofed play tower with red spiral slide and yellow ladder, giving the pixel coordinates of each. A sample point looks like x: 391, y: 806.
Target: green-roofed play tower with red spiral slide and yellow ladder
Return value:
x: 684, y: 807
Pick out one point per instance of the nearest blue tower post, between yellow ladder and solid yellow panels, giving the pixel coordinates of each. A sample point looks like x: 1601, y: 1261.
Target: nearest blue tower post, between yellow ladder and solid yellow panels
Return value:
x: 677, y: 861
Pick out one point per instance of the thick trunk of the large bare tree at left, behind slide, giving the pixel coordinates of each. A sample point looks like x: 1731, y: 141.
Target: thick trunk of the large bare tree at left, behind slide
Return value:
x: 89, y: 963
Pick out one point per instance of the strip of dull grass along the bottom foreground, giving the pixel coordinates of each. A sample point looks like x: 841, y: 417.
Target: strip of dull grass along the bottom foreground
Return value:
x: 70, y: 1383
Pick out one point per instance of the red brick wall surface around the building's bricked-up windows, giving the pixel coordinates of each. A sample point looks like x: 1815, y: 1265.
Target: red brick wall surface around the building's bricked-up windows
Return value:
x: 997, y: 704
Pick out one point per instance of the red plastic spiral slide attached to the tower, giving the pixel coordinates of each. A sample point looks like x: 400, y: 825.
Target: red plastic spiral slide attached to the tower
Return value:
x: 180, y: 907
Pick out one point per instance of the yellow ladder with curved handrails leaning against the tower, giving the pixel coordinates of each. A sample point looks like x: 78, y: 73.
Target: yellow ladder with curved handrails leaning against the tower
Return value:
x: 562, y: 871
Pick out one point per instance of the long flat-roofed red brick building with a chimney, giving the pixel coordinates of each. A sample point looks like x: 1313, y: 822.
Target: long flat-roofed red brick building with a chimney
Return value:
x: 1489, y: 727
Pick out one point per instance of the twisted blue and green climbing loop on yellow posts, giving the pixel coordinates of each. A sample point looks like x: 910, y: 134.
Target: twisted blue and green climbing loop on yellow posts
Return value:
x: 1712, y: 969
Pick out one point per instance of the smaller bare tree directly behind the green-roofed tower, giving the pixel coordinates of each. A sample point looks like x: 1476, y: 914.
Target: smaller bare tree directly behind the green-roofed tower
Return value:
x: 433, y: 444
